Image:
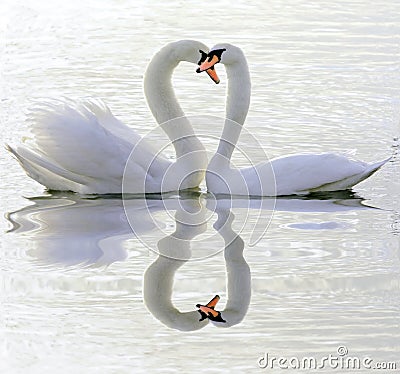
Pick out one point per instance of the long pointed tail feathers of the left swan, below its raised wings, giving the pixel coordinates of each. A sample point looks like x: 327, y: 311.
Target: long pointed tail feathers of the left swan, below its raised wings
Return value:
x: 45, y: 172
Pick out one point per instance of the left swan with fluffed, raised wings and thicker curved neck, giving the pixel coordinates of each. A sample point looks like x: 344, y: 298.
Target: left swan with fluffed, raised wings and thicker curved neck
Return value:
x: 84, y: 148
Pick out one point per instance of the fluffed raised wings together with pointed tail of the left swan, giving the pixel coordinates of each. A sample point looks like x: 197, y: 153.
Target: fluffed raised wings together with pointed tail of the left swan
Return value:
x: 84, y: 145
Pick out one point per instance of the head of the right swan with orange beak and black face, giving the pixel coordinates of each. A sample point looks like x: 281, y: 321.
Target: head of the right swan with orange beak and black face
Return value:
x: 223, y: 53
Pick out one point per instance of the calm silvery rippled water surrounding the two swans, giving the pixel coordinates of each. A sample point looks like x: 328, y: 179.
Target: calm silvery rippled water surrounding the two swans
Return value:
x: 82, y: 293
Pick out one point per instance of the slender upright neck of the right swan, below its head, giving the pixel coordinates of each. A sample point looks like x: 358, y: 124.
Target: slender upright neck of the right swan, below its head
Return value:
x: 237, y: 104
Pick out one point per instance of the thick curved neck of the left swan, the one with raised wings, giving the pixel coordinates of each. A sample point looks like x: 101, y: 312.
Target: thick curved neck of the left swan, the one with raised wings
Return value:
x: 161, y: 97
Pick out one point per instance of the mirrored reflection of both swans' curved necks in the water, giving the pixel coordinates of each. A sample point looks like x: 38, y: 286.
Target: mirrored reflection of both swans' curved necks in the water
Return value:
x: 175, y: 250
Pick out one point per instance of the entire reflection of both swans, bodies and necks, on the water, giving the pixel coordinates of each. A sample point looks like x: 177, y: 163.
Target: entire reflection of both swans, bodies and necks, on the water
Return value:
x: 70, y: 230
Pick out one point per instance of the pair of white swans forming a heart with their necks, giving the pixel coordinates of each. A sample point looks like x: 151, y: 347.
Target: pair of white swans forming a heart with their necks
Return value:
x: 85, y: 148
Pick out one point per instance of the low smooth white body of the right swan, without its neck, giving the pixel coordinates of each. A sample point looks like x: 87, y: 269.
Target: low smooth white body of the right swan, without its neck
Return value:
x: 289, y: 175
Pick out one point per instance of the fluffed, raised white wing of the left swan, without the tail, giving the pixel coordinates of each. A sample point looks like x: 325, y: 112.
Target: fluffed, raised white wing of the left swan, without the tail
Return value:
x: 75, y: 139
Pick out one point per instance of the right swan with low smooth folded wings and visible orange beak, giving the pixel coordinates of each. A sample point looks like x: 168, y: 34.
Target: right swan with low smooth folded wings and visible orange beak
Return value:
x: 288, y: 175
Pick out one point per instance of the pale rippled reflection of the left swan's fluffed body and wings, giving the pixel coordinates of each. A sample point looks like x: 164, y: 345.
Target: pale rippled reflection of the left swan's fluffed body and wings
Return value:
x: 70, y: 230
